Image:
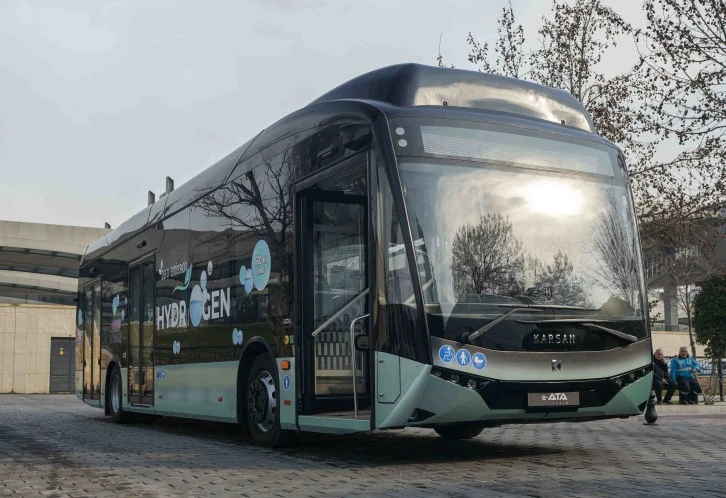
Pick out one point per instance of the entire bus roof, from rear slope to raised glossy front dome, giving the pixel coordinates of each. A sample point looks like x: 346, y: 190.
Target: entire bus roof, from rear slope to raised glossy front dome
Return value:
x: 402, y: 85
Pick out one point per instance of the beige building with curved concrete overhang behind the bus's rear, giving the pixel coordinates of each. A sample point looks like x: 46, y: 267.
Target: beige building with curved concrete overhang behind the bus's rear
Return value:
x: 38, y: 284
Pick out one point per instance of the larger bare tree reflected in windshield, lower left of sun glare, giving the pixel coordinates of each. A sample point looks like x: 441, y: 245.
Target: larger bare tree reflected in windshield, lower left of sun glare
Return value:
x: 487, y: 257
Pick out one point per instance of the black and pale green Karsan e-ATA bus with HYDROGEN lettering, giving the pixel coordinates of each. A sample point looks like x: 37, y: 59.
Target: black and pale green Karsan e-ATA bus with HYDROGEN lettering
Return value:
x: 419, y: 247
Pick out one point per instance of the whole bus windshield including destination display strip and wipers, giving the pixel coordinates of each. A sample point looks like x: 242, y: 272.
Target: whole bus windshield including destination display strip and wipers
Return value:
x: 504, y: 220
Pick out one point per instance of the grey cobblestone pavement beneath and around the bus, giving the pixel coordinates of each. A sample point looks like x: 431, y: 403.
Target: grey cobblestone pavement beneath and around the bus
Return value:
x: 56, y: 446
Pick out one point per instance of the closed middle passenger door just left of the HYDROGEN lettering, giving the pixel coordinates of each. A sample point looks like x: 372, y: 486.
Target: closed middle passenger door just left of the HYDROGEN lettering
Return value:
x: 142, y: 280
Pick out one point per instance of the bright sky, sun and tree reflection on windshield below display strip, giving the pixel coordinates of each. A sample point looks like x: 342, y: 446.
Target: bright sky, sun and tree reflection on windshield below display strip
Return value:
x: 509, y: 235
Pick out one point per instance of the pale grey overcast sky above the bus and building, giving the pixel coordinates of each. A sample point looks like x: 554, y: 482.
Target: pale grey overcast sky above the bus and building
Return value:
x: 100, y: 101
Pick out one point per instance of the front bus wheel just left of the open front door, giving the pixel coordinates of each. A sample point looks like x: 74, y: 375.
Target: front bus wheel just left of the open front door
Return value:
x: 263, y: 415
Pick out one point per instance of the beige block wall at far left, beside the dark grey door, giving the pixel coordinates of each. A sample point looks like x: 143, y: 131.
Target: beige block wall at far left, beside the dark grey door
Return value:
x: 25, y: 332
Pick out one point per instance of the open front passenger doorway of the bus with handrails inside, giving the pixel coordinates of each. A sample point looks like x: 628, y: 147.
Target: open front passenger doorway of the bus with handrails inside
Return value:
x: 333, y: 235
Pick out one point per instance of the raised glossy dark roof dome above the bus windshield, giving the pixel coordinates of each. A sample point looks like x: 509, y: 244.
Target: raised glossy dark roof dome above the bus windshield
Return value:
x: 407, y: 85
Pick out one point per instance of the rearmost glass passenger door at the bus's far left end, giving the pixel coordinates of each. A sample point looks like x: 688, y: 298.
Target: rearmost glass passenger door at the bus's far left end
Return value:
x: 92, y: 341
